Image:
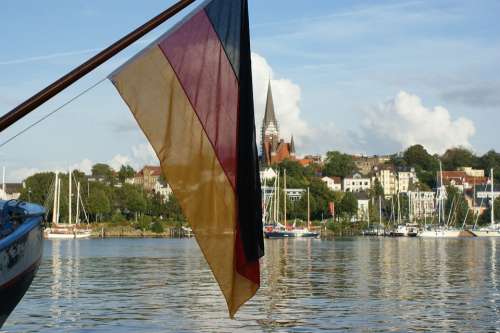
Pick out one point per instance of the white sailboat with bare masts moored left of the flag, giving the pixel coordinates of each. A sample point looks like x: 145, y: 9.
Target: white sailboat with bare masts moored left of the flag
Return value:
x: 66, y: 230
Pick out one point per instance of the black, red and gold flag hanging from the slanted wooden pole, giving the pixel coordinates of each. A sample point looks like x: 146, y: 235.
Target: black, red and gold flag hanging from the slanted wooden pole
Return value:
x: 191, y: 94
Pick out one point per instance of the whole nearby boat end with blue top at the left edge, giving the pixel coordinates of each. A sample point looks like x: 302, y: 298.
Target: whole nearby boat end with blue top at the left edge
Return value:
x: 21, y: 246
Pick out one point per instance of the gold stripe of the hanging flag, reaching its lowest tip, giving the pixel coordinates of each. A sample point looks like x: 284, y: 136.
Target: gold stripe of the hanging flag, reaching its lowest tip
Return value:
x: 153, y: 93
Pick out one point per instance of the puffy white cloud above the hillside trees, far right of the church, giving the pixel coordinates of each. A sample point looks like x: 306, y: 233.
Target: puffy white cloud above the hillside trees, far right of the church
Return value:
x: 405, y: 121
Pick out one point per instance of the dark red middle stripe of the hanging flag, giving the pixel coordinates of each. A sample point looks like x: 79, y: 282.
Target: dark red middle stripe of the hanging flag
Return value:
x: 203, y: 69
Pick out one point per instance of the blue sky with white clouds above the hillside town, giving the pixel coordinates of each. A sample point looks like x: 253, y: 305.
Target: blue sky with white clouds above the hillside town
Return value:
x: 364, y: 77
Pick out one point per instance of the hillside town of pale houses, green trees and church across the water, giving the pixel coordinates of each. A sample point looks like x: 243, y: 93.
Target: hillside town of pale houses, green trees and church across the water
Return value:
x: 343, y: 186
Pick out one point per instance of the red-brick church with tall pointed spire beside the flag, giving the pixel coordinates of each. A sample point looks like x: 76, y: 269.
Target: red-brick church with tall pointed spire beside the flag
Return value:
x: 274, y: 148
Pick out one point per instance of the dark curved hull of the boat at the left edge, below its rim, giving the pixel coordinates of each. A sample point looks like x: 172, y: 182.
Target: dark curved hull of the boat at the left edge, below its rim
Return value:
x: 20, y: 256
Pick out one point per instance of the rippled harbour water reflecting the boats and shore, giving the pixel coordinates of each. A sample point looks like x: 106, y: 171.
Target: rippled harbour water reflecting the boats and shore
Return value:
x: 308, y: 285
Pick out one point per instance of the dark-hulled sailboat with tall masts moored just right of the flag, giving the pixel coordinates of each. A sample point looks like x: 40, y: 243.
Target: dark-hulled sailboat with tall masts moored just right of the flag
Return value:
x: 278, y: 230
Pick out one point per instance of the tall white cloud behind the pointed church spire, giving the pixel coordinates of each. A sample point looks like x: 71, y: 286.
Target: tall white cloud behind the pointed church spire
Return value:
x: 286, y: 96
